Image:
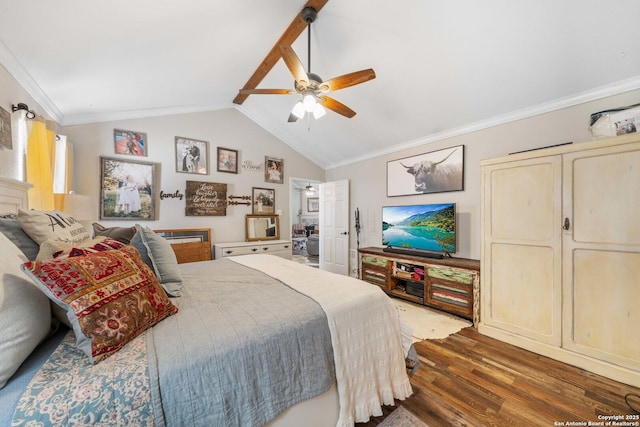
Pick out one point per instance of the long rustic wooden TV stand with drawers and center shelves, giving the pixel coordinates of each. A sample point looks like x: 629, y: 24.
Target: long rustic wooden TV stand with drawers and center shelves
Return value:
x: 448, y: 284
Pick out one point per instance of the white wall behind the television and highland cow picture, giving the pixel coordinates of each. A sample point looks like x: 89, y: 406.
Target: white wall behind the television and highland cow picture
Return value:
x: 369, y: 189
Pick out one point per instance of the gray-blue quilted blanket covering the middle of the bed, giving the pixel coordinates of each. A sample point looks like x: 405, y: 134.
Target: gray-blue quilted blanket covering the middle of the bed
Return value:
x: 242, y: 349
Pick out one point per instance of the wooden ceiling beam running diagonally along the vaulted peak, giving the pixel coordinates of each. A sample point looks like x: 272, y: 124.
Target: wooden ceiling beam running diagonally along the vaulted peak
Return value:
x: 290, y: 35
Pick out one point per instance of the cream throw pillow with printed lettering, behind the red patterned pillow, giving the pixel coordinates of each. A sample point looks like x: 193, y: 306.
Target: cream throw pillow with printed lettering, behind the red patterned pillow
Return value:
x: 51, y: 225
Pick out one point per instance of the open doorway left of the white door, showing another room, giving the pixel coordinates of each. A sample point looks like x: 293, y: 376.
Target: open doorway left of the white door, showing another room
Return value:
x: 305, y: 213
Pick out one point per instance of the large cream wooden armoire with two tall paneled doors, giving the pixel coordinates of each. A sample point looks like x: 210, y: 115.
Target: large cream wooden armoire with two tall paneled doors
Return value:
x: 560, y: 264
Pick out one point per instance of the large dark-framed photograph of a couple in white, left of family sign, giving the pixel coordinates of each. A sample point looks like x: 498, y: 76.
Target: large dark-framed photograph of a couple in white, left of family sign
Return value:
x: 128, y: 189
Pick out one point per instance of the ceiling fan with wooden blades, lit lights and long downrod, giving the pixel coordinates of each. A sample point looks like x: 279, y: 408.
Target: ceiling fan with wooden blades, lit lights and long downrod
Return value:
x: 310, y: 85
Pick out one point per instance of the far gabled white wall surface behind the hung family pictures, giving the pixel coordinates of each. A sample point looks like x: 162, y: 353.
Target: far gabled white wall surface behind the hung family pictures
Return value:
x: 223, y: 128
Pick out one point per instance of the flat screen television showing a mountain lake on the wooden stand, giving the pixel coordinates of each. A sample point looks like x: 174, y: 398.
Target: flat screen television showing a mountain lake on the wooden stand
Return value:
x: 426, y: 230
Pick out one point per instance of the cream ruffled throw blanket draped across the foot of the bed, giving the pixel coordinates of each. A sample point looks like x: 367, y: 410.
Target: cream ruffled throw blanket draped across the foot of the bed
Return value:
x: 365, y: 334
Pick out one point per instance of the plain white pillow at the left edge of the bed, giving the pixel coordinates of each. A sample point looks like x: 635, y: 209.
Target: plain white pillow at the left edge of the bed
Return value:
x: 25, y: 314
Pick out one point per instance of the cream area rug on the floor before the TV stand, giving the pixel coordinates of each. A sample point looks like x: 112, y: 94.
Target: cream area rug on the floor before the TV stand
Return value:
x: 428, y: 323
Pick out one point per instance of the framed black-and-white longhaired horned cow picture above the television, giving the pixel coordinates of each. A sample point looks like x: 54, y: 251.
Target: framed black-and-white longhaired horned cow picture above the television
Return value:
x: 434, y: 172
